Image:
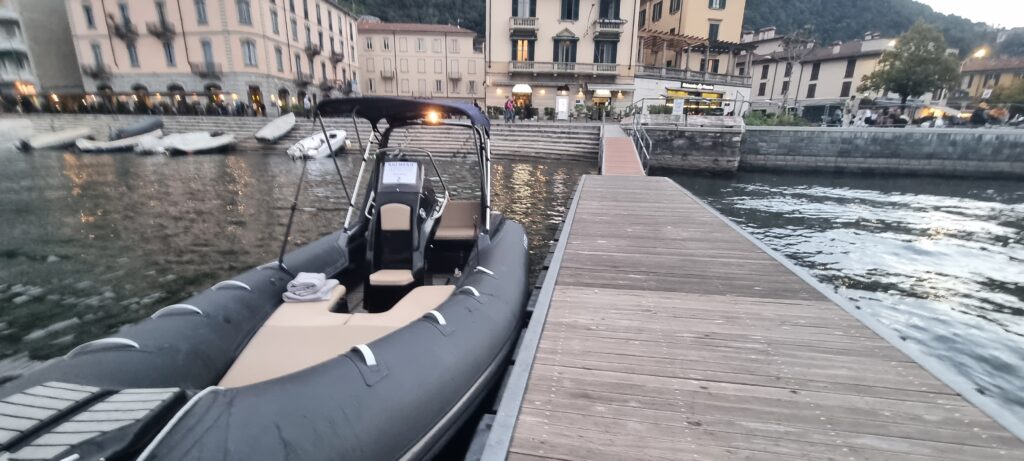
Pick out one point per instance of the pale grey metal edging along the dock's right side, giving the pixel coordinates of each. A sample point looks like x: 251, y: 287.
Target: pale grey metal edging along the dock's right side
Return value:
x: 942, y: 371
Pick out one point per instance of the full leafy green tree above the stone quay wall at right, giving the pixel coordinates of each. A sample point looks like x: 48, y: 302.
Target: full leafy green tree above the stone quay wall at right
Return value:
x: 918, y: 64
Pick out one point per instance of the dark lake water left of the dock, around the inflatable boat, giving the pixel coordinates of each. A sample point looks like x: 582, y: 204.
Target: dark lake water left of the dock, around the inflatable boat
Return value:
x: 90, y: 243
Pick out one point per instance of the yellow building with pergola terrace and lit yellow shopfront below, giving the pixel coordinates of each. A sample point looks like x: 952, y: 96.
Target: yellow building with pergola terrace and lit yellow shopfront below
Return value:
x: 693, y: 51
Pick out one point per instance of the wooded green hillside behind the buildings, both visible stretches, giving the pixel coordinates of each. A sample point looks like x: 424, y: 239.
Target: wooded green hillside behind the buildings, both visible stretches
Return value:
x: 832, y: 20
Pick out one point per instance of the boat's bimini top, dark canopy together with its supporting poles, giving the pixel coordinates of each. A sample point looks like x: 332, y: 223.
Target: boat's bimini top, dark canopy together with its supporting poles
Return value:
x: 400, y: 113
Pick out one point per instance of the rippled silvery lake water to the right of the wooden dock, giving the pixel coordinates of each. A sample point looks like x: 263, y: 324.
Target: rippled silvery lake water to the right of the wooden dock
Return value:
x: 940, y: 262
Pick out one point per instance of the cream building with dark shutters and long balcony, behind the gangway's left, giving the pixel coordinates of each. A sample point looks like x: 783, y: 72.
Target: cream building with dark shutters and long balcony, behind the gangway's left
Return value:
x: 563, y: 56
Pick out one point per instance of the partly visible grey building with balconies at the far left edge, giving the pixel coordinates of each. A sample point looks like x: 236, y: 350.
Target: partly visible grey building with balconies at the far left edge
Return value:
x: 37, y: 59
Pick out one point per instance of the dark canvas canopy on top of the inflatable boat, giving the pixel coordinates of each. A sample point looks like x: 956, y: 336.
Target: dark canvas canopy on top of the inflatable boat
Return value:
x: 397, y: 110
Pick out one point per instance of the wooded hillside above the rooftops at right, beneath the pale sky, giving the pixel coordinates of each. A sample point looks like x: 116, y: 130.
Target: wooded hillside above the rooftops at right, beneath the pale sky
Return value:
x: 850, y: 20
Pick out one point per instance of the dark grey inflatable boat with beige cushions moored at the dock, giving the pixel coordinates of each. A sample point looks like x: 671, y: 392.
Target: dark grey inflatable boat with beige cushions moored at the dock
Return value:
x: 386, y: 366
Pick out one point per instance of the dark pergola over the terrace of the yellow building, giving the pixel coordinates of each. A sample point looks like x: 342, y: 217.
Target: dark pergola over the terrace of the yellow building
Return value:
x: 661, y: 44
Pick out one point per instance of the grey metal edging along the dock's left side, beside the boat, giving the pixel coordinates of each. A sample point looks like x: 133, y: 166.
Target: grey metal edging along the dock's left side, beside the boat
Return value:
x: 500, y: 439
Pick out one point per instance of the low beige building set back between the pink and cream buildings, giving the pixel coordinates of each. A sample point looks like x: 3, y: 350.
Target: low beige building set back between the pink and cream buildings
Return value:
x: 420, y: 61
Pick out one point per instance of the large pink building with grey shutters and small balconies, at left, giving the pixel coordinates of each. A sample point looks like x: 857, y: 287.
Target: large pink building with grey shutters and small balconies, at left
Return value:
x: 262, y: 53
